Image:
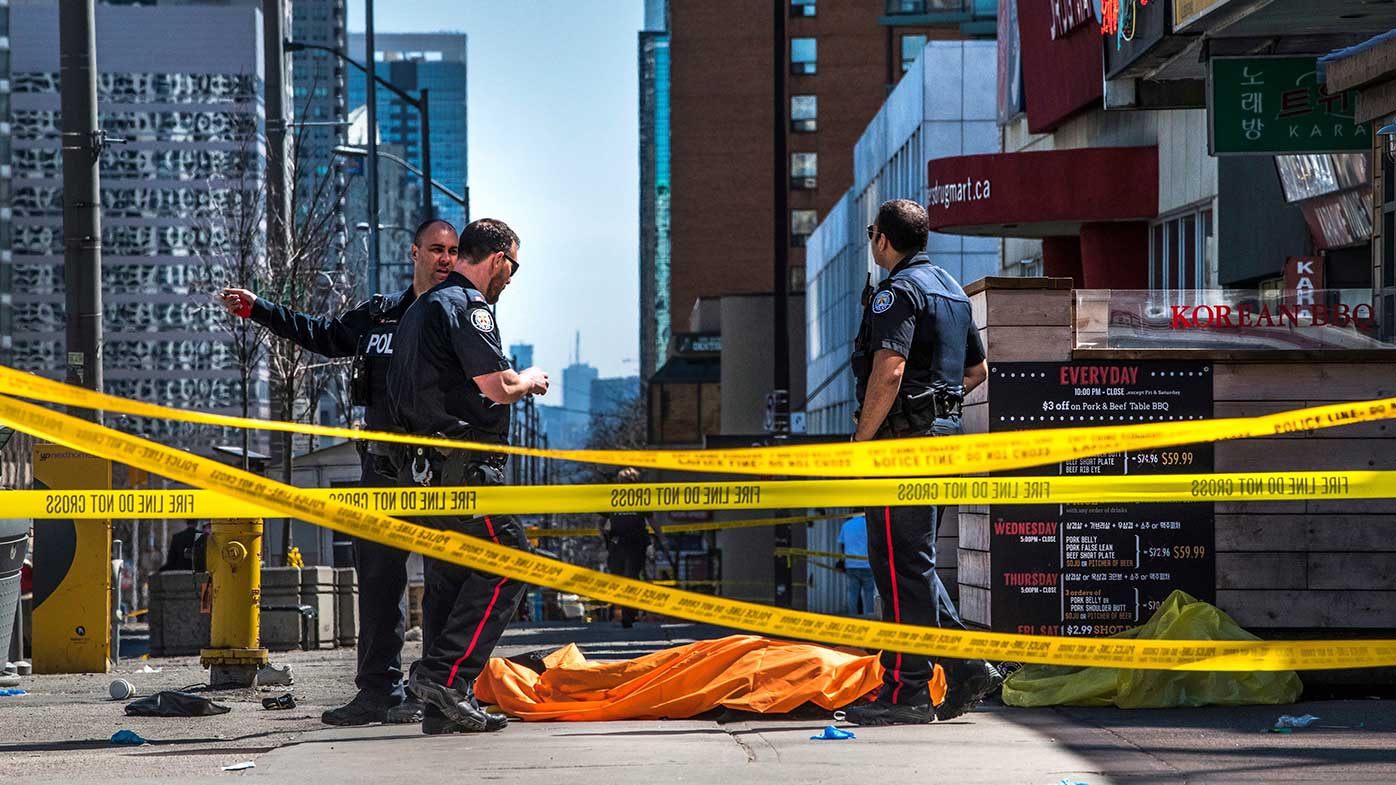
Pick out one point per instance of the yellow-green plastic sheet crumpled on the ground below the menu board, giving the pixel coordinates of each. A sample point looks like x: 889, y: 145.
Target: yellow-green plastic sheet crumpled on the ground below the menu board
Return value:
x: 1179, y: 618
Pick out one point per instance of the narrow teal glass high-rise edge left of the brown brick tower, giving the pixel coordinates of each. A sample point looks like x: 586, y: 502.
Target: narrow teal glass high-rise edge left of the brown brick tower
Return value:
x: 655, y: 318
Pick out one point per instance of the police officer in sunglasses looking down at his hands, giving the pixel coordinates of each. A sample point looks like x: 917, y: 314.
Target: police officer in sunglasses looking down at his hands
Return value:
x: 450, y: 378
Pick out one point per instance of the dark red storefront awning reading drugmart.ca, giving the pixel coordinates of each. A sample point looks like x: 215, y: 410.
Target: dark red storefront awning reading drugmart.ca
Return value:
x: 1042, y: 195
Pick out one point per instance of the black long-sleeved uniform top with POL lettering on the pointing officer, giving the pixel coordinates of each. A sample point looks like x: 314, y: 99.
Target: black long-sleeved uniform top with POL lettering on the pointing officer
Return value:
x: 366, y: 330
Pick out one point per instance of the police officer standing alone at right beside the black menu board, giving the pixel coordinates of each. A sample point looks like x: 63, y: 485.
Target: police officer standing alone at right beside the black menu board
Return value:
x: 915, y: 358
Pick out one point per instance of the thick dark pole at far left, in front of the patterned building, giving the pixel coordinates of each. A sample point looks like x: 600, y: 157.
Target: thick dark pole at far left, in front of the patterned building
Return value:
x: 82, y: 198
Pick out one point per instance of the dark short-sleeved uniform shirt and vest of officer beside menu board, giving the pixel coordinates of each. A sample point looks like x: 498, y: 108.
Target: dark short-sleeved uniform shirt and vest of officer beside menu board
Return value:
x: 922, y: 314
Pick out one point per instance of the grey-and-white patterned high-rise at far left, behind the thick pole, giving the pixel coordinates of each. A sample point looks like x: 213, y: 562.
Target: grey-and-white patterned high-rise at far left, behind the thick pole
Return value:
x: 192, y: 115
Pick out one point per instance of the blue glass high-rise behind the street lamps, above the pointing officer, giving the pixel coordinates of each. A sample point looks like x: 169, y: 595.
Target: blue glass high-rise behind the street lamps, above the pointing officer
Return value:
x: 436, y: 64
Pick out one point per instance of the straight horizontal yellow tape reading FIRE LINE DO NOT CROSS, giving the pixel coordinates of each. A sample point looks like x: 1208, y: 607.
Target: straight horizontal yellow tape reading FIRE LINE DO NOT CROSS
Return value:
x: 756, y: 495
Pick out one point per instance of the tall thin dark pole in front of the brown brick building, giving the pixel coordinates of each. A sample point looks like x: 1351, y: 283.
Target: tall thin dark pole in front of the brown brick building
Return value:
x: 781, y: 276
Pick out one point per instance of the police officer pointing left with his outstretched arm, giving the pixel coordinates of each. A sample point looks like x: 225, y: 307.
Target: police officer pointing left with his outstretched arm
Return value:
x: 366, y: 335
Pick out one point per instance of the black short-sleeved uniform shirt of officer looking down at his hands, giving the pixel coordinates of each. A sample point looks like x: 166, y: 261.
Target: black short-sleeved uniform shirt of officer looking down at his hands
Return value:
x: 445, y: 342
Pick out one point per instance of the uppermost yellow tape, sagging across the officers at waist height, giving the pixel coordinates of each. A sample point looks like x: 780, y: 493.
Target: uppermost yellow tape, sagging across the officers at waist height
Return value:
x: 900, y: 457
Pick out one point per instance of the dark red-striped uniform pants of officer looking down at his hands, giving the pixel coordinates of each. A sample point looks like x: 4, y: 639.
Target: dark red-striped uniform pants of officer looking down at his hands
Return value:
x: 464, y: 612
